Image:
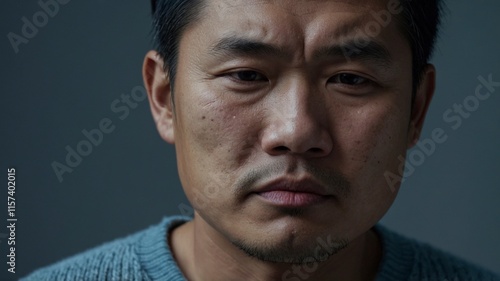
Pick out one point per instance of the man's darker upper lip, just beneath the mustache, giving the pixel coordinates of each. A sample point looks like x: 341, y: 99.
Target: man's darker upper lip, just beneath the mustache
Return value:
x: 294, y: 185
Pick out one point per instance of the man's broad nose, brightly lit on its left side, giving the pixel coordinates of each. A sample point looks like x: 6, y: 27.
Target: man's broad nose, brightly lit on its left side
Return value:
x: 297, y: 121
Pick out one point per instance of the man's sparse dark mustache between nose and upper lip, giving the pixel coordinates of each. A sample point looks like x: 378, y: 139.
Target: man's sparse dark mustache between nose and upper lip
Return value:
x: 334, y: 181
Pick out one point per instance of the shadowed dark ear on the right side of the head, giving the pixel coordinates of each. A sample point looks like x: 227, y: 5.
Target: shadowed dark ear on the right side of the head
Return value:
x: 423, y: 98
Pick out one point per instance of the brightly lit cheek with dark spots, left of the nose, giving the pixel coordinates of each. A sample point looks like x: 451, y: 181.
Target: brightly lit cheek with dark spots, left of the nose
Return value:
x: 211, y: 139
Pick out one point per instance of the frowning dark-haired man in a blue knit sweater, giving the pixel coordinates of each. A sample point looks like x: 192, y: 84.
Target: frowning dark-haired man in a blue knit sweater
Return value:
x: 287, y: 118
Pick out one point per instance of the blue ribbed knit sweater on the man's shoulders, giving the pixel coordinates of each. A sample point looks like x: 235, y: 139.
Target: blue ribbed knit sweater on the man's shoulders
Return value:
x: 146, y: 256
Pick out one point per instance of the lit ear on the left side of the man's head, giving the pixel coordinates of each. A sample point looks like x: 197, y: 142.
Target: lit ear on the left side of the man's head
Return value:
x: 157, y: 85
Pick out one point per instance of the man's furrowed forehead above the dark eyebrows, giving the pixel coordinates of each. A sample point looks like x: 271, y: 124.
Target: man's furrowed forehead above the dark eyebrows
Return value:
x: 293, y: 23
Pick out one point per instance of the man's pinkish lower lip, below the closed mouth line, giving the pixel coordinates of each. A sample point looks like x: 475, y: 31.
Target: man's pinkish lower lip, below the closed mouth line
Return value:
x: 292, y: 199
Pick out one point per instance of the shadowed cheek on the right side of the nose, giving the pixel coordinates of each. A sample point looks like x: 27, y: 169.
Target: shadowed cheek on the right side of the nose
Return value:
x: 376, y: 136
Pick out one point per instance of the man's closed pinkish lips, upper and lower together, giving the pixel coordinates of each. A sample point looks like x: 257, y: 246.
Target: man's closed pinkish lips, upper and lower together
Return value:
x: 293, y: 193
